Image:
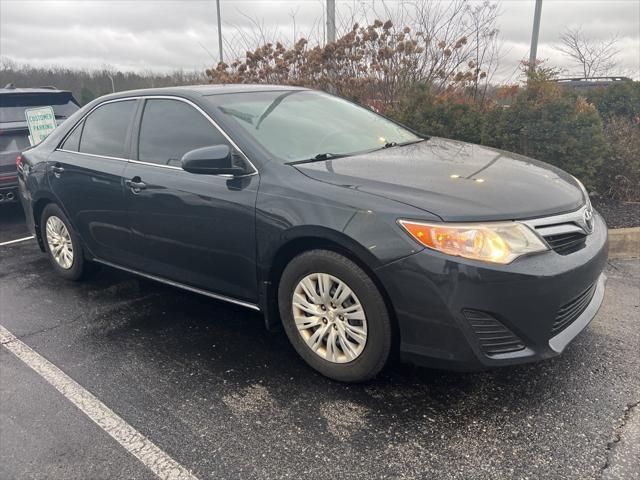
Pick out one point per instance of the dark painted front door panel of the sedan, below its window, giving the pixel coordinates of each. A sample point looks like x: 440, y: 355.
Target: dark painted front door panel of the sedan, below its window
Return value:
x: 195, y: 229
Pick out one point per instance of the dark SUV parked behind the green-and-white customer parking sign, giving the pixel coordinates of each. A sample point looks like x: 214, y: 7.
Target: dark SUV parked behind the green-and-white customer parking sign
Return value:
x: 14, y: 134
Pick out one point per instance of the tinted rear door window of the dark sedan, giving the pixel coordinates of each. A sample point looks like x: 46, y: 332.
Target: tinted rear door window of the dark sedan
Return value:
x: 105, y: 129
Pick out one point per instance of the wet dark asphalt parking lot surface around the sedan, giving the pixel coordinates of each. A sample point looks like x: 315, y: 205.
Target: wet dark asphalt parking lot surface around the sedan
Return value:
x: 222, y: 397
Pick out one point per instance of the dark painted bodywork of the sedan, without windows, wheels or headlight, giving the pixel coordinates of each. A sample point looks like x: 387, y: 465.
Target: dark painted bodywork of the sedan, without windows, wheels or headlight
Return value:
x: 227, y: 236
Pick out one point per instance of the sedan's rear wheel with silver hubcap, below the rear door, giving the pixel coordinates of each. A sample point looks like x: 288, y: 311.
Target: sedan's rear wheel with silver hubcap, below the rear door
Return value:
x: 61, y: 243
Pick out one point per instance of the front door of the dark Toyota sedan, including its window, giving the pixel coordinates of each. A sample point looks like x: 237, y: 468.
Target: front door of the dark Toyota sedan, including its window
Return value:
x: 195, y: 229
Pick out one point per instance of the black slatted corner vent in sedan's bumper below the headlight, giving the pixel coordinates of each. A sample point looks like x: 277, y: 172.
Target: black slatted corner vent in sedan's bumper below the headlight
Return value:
x: 494, y: 338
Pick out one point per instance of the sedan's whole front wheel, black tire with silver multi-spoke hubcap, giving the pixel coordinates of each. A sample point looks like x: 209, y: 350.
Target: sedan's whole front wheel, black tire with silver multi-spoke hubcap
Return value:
x: 335, y: 316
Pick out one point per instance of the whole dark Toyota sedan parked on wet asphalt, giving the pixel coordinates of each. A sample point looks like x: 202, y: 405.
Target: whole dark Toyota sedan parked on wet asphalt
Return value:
x: 358, y: 235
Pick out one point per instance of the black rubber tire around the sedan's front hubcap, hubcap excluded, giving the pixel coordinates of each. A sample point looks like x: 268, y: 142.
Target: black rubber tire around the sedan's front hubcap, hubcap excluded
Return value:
x: 377, y: 348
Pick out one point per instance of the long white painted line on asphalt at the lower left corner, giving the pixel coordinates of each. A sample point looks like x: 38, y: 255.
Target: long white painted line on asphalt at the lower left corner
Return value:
x: 133, y: 441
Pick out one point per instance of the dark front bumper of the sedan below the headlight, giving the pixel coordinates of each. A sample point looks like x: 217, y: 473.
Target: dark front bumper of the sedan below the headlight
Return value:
x: 465, y: 315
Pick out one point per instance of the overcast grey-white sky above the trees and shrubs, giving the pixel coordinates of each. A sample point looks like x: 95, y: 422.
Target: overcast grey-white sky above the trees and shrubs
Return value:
x: 164, y: 35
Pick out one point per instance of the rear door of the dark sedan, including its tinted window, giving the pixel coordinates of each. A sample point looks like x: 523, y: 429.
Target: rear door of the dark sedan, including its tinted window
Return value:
x: 85, y: 173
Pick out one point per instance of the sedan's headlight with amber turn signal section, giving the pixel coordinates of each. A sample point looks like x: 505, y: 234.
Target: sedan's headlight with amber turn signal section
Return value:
x: 499, y: 242
